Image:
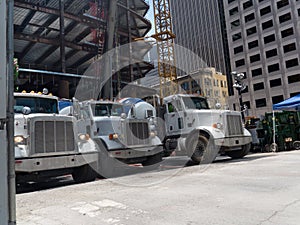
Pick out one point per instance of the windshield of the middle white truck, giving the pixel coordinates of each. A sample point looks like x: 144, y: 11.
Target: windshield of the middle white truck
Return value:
x: 108, y: 110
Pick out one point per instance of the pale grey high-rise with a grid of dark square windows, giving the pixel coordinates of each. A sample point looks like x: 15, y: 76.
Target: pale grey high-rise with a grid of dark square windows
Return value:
x: 264, y: 44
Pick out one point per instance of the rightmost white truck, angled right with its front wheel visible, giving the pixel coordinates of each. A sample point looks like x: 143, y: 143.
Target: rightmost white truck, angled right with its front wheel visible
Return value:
x: 201, y: 133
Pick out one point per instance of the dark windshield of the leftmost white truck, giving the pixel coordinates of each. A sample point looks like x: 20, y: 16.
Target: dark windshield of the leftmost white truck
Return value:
x: 37, y: 105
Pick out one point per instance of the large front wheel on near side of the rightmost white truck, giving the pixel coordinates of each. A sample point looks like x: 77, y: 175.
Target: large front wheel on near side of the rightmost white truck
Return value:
x: 204, y: 151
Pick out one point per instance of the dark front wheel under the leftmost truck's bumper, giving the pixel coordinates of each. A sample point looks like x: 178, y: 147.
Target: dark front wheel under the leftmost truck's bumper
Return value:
x: 84, y: 174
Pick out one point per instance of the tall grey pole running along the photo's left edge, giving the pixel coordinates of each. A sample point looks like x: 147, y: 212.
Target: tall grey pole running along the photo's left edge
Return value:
x: 7, y: 180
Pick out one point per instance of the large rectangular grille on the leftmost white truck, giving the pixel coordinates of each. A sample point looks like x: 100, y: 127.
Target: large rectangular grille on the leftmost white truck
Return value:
x: 53, y: 136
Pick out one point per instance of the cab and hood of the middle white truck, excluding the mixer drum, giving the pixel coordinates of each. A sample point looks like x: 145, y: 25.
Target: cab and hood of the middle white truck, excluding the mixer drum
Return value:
x: 125, y: 137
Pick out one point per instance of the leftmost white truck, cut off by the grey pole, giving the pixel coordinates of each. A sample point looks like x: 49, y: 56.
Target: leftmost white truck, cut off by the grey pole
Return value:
x: 48, y: 144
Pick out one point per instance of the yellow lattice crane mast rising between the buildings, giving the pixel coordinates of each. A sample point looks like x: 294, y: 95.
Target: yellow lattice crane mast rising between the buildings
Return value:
x: 165, y: 48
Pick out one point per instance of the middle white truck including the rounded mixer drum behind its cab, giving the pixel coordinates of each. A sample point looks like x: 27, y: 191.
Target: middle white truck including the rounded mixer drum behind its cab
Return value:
x: 123, y: 138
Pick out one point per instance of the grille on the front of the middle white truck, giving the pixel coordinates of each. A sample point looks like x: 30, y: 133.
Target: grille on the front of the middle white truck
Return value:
x: 137, y: 133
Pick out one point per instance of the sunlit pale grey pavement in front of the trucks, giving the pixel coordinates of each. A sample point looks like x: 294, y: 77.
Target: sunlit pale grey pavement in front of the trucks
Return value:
x: 259, y: 189
